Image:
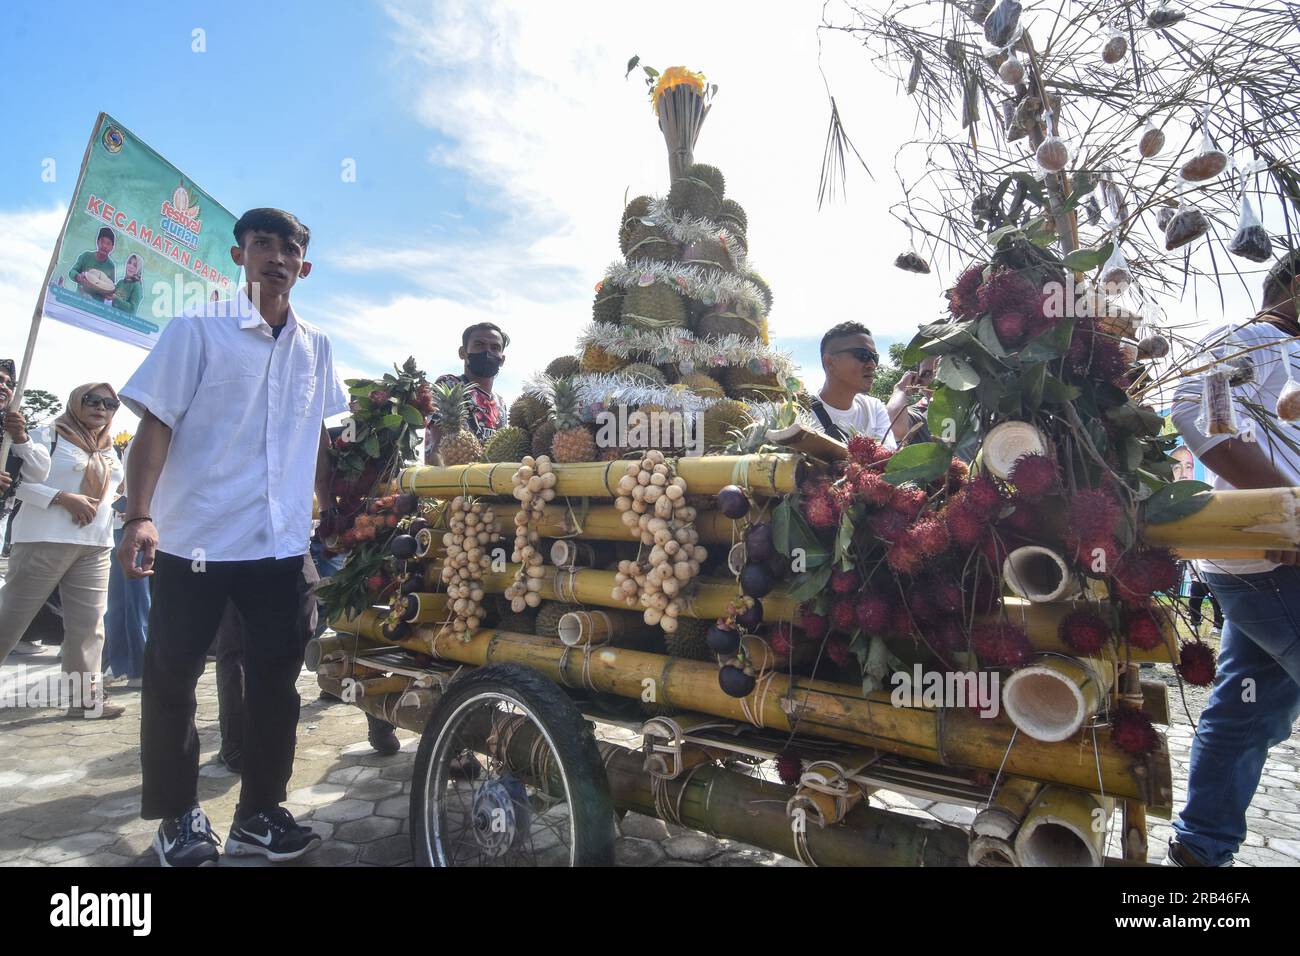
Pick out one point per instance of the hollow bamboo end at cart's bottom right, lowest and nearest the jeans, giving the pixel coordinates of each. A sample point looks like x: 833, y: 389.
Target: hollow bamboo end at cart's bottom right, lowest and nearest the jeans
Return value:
x: 1065, y: 828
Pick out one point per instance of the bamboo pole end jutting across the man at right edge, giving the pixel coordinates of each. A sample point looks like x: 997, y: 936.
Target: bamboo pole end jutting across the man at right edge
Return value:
x: 1255, y: 521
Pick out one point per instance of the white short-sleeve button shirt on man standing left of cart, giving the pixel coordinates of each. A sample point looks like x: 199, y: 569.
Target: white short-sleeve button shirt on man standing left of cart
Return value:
x: 246, y: 412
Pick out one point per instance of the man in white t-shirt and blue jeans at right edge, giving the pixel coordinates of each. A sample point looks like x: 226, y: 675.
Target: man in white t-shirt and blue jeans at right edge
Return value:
x: 1256, y: 697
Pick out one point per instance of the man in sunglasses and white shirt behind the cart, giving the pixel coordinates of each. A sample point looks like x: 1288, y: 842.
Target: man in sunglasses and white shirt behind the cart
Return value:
x: 843, y: 408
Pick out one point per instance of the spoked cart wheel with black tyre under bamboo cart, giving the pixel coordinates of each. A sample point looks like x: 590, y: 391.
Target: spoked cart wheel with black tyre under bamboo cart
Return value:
x: 509, y: 775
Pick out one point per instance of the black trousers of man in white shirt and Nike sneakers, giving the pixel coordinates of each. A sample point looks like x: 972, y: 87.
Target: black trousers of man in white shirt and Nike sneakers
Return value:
x: 189, y: 603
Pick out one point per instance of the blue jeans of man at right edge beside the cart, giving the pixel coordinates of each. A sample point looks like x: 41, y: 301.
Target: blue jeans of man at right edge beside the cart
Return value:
x: 1253, y: 707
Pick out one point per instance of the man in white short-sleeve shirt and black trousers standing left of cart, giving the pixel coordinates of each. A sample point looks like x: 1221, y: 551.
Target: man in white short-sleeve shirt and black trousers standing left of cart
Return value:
x: 232, y: 442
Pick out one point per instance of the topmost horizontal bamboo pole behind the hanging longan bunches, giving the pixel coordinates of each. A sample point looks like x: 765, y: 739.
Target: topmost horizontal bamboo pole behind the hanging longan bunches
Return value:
x: 762, y: 475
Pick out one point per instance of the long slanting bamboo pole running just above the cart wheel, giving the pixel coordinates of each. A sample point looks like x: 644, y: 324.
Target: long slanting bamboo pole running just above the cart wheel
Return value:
x: 825, y: 710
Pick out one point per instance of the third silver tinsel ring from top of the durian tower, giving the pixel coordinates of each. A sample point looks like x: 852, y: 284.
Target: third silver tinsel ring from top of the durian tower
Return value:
x: 691, y: 354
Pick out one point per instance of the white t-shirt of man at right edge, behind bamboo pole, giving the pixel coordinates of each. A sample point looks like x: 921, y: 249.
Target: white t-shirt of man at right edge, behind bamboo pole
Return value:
x: 1271, y: 375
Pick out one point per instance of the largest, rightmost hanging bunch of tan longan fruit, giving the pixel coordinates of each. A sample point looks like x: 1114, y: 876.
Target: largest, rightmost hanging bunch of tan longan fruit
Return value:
x: 653, y: 503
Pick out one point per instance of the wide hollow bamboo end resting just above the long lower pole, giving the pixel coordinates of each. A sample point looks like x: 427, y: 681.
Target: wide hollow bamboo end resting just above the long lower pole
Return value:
x: 1051, y: 699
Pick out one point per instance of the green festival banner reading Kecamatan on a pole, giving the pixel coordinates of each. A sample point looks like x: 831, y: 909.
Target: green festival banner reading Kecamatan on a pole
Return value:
x: 142, y: 244
